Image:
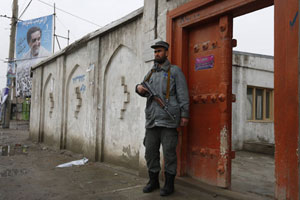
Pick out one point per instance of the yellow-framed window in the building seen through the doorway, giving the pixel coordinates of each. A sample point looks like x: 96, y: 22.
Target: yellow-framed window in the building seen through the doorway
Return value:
x: 259, y: 104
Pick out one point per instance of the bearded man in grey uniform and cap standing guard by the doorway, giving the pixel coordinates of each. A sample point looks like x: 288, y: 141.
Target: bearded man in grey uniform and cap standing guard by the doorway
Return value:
x: 170, y: 85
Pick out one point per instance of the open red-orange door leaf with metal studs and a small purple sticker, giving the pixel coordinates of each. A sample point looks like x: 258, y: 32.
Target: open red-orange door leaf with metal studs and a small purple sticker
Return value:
x: 209, y: 80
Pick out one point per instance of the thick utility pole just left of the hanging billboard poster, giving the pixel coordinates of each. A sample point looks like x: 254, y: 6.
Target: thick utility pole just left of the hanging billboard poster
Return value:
x: 11, y: 59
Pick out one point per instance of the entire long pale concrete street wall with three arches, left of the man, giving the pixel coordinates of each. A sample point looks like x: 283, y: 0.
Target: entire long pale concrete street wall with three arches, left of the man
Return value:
x: 83, y: 97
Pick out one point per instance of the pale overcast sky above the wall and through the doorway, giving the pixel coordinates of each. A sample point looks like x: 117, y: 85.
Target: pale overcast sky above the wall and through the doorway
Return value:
x: 254, y: 32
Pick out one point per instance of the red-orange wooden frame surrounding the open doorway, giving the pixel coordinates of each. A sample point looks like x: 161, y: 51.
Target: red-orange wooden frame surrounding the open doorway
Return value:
x: 286, y: 82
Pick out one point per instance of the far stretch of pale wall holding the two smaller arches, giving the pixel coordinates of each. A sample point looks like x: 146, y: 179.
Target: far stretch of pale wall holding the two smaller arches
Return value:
x: 61, y: 100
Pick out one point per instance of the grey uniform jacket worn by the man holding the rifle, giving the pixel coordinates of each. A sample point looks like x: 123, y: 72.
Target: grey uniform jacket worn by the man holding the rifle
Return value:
x: 178, y: 103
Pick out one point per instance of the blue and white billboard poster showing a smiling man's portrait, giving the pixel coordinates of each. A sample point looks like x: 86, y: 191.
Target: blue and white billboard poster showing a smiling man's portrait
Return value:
x: 33, y: 44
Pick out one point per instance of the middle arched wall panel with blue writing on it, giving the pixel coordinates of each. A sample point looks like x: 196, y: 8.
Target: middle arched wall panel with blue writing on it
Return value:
x: 79, y: 109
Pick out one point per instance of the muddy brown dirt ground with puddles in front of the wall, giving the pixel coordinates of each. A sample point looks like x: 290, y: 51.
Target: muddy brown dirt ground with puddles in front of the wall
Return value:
x: 31, y: 174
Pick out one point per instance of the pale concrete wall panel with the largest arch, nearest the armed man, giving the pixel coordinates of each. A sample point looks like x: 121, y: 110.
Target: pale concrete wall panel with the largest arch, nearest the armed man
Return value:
x: 122, y: 119
